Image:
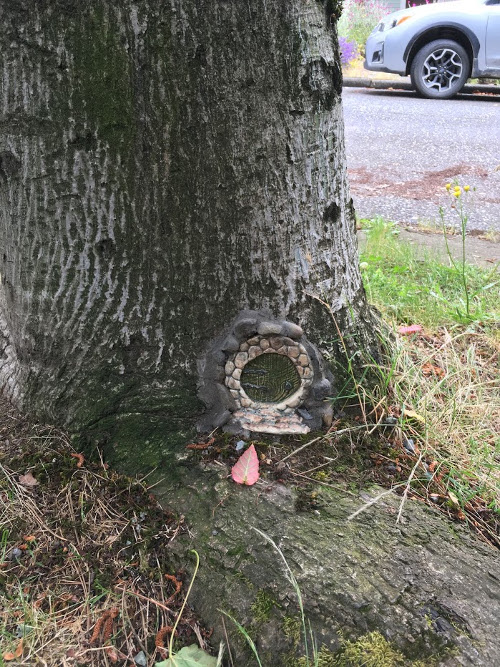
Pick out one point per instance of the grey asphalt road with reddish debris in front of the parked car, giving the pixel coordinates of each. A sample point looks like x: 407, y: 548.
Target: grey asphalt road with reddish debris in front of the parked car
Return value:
x: 402, y: 150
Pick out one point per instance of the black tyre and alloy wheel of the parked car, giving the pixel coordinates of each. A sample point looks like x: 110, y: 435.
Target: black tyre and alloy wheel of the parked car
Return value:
x: 440, y: 69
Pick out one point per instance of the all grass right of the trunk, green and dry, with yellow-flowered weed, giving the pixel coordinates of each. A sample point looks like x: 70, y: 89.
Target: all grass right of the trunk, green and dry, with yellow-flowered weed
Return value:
x: 450, y: 374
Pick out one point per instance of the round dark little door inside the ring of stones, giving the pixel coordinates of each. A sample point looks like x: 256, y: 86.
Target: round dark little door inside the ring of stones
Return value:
x: 270, y: 378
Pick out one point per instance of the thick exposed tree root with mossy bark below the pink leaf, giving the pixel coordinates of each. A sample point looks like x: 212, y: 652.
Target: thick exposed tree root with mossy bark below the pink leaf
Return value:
x: 428, y: 586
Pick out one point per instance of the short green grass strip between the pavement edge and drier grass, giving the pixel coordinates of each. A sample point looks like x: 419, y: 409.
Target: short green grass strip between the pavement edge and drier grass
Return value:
x: 412, y: 285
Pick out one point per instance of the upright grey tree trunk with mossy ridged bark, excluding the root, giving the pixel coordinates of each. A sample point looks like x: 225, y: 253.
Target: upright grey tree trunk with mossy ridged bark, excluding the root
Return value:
x: 164, y: 166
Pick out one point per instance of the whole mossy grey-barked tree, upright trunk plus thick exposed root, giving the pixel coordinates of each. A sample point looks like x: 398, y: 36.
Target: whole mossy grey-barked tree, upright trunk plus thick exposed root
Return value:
x: 165, y: 165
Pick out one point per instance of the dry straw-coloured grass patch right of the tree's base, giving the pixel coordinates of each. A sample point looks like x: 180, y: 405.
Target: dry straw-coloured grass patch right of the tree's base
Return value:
x: 444, y: 389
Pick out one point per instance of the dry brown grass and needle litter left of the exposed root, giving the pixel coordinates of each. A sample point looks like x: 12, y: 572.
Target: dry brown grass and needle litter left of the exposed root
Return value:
x: 84, y: 555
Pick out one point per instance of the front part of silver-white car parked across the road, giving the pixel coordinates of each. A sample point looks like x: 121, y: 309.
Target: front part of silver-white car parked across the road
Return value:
x: 439, y: 45
